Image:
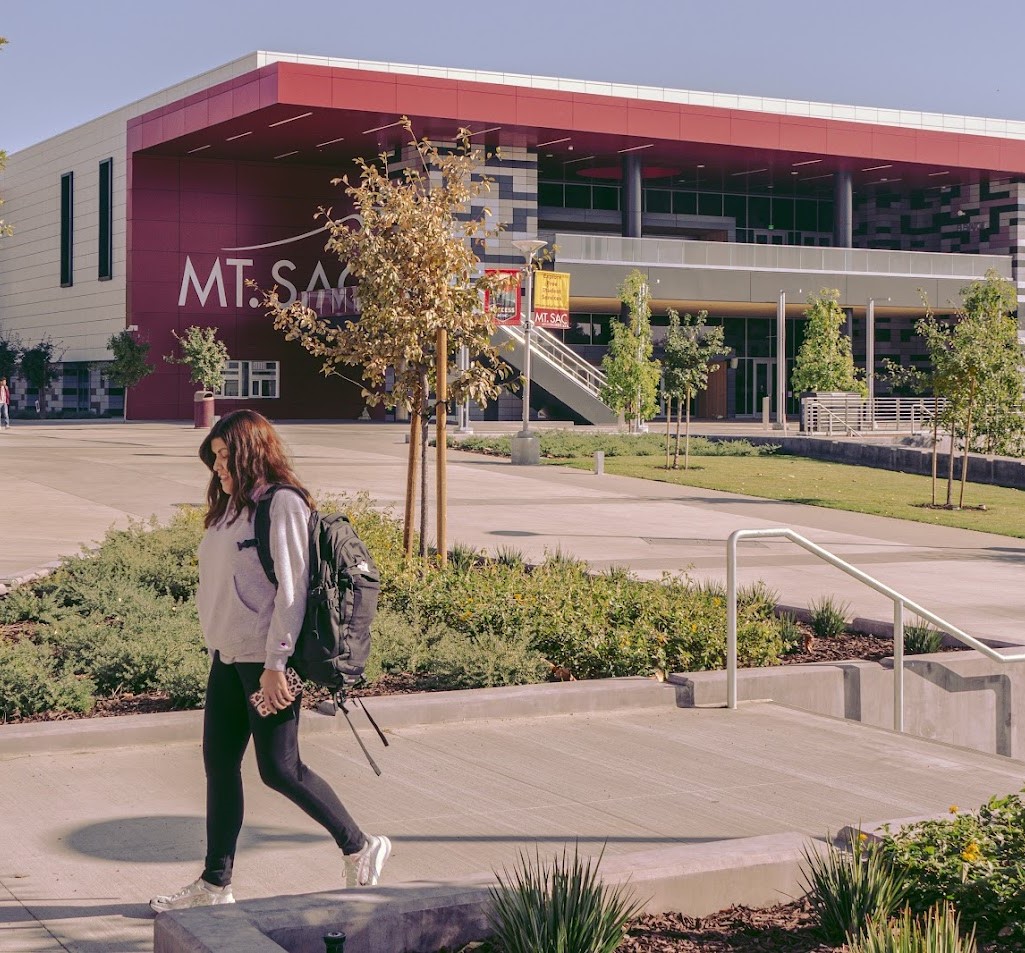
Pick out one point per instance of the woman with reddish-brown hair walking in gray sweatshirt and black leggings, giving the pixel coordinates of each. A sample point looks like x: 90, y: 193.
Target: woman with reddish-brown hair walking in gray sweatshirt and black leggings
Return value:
x: 251, y: 627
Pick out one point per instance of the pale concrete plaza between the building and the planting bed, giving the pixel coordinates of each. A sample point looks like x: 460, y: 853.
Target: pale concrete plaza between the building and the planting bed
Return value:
x: 66, y: 484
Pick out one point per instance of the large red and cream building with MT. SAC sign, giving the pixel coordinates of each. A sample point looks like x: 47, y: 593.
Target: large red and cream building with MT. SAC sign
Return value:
x: 155, y: 218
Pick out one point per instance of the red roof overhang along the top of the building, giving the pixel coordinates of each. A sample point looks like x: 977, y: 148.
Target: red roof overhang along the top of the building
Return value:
x: 322, y: 115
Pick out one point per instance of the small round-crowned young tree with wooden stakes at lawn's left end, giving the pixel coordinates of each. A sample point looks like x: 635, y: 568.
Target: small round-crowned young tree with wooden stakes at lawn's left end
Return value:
x: 689, y: 347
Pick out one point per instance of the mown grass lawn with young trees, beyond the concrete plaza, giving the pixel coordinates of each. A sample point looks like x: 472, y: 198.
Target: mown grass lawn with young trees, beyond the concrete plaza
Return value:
x: 859, y: 489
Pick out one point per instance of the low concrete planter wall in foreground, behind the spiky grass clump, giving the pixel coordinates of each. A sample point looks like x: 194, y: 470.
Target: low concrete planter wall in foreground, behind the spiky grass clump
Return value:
x: 695, y: 880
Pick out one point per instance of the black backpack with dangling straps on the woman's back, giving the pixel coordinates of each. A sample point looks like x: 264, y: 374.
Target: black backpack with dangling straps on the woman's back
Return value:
x: 333, y: 647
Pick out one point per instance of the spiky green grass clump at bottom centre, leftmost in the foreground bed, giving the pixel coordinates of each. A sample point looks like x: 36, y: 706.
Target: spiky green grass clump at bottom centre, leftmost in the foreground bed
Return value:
x: 559, y: 907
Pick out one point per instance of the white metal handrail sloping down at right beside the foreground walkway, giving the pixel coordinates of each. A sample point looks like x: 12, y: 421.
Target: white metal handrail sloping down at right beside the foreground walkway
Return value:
x: 900, y: 604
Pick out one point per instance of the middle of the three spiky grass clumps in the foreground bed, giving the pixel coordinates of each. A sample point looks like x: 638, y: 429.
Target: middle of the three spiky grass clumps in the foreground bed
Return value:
x: 851, y: 890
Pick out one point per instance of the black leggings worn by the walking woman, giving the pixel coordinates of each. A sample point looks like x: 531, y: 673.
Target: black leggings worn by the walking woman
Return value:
x: 229, y: 722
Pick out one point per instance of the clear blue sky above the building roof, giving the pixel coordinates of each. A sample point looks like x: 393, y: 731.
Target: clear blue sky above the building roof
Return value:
x: 71, y: 61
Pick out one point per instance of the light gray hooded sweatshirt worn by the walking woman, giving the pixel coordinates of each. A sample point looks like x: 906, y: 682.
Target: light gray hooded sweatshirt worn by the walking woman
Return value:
x: 243, y: 615
